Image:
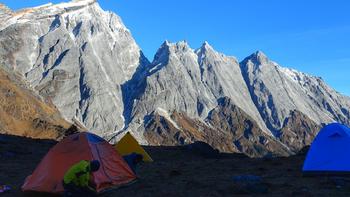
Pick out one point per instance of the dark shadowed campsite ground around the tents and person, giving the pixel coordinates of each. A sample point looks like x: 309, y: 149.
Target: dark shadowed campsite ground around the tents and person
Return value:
x: 179, y: 172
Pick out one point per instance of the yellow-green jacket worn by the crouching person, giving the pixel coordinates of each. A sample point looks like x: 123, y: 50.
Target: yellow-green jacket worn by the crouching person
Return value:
x: 78, y: 174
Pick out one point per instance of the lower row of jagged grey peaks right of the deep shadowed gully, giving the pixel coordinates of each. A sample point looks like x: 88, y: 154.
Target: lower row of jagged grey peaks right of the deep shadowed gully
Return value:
x: 255, y: 107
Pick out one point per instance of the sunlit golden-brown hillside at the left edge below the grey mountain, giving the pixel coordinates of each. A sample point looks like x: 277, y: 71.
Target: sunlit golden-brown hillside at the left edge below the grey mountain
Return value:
x: 23, y: 113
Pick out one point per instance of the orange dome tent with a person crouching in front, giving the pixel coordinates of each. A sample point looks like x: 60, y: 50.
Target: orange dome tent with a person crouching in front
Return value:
x: 48, y: 175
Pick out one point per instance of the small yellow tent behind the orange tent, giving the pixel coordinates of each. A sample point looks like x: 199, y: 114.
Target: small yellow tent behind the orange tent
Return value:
x: 128, y: 144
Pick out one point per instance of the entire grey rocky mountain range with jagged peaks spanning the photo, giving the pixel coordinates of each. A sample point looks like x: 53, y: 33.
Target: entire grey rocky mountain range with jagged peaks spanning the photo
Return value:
x: 85, y: 60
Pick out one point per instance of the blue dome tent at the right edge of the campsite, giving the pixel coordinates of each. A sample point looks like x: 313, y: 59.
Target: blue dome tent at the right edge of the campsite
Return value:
x: 330, y: 150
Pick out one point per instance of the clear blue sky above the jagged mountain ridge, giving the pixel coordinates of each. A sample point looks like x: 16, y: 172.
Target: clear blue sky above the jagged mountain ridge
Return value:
x: 312, y: 36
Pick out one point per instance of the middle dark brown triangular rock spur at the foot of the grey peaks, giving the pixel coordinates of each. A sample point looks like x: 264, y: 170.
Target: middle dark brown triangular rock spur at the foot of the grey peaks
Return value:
x: 244, y: 132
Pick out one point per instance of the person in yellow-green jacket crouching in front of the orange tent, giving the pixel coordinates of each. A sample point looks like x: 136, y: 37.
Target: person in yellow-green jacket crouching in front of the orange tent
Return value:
x: 76, y: 180
